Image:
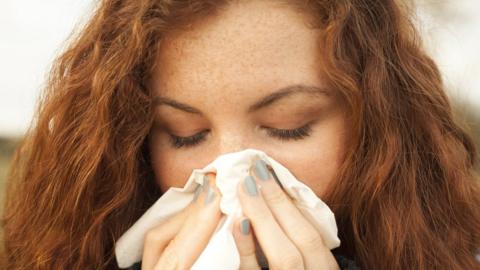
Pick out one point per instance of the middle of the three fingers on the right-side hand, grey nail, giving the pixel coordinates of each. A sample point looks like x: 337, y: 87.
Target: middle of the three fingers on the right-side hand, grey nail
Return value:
x: 281, y: 253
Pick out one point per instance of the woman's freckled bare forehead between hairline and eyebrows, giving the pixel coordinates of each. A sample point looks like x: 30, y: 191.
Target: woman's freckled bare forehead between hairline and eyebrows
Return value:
x: 249, y: 45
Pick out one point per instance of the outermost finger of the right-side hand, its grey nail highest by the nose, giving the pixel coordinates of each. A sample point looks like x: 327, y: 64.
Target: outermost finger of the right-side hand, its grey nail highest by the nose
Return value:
x: 294, y: 224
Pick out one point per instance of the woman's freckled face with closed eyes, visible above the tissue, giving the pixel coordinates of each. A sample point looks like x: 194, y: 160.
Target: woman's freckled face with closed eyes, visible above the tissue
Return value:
x: 232, y: 83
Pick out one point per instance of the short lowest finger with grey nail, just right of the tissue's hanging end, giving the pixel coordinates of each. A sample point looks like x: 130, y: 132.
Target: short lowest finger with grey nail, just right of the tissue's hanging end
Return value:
x: 246, y: 246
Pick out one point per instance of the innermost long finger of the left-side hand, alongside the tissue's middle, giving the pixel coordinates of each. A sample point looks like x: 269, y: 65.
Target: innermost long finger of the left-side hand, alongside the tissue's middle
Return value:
x: 194, y: 235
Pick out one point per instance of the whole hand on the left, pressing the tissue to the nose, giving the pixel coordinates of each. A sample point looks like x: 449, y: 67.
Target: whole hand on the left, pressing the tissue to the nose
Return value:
x: 177, y: 243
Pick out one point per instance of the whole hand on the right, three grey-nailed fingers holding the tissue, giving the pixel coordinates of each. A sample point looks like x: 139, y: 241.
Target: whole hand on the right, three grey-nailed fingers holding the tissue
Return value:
x: 286, y: 237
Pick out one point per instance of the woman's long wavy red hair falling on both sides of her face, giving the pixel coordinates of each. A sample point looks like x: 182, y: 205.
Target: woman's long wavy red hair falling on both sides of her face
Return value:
x: 406, y: 197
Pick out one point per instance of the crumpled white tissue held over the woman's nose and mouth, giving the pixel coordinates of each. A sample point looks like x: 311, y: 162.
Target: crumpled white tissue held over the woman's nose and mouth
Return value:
x: 221, y: 252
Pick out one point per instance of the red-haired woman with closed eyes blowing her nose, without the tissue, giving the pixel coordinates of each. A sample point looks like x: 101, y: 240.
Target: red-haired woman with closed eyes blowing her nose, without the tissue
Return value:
x: 339, y: 92
